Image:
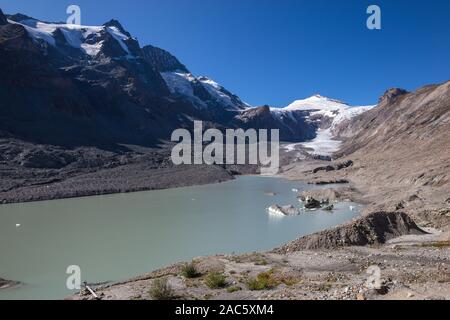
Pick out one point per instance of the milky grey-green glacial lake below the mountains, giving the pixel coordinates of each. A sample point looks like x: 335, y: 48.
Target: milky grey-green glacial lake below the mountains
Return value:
x: 115, y: 237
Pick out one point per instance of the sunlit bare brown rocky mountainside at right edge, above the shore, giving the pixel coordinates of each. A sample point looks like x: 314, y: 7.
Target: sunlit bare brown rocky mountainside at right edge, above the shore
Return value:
x: 401, y: 148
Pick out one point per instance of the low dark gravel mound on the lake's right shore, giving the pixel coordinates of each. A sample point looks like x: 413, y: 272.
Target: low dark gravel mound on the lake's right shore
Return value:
x: 375, y: 228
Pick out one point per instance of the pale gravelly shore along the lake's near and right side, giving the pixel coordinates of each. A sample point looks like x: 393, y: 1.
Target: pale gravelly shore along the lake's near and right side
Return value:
x: 414, y: 259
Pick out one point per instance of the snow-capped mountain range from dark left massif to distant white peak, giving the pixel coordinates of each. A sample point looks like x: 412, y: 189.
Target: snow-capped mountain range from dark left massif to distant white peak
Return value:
x: 95, y: 85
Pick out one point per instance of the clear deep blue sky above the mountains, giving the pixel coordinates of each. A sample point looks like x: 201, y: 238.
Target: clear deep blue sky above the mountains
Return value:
x: 274, y: 52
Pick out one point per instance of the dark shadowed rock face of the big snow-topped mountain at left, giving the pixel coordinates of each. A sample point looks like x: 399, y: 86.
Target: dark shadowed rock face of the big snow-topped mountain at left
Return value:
x: 100, y: 92
